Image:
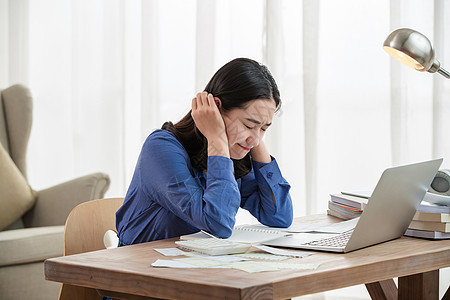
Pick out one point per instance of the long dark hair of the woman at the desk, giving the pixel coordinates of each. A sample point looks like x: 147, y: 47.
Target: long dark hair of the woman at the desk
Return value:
x: 236, y: 83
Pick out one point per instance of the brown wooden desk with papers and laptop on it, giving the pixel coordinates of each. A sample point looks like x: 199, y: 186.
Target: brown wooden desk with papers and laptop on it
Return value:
x: 126, y: 272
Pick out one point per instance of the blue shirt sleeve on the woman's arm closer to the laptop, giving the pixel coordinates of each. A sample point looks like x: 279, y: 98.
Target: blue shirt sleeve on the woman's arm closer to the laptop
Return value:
x: 263, y: 186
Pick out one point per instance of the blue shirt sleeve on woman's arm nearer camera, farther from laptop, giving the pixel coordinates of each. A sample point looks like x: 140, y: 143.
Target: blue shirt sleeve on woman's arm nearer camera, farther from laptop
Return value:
x: 167, y: 178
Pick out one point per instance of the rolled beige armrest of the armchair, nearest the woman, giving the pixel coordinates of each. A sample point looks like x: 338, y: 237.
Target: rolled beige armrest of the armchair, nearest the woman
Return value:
x: 54, y: 204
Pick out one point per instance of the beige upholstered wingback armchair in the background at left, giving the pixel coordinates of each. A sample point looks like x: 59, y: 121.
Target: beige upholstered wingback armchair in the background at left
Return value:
x: 37, y: 234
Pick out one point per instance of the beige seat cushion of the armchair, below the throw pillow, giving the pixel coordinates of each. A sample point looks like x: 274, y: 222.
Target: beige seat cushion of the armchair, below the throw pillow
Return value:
x: 30, y: 244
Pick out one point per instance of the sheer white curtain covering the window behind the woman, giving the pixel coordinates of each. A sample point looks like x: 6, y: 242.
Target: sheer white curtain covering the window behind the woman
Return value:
x: 105, y: 73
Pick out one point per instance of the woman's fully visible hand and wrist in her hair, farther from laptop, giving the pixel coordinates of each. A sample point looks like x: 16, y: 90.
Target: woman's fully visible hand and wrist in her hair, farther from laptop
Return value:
x: 207, y: 118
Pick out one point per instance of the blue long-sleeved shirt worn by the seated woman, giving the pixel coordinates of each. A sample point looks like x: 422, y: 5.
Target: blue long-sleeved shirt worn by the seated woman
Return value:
x: 168, y: 197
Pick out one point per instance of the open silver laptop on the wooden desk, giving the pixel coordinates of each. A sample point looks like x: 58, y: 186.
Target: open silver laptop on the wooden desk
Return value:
x: 386, y: 216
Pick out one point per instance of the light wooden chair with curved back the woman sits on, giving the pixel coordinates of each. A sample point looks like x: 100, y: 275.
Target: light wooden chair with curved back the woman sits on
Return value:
x: 83, y: 232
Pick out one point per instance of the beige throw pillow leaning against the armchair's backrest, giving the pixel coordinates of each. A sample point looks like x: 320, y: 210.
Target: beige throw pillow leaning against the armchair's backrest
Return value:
x: 16, y: 196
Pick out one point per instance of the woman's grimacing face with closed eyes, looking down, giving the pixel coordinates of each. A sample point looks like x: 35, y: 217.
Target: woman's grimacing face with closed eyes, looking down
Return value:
x: 246, y: 126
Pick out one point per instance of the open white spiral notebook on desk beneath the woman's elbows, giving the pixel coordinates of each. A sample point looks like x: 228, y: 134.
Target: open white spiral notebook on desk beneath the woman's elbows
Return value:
x: 248, y: 234
